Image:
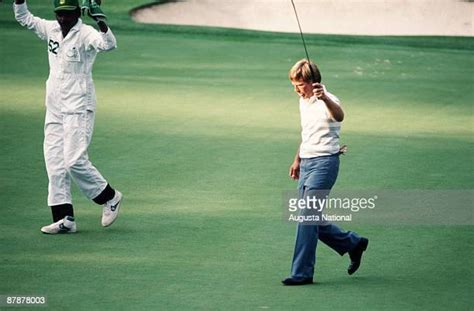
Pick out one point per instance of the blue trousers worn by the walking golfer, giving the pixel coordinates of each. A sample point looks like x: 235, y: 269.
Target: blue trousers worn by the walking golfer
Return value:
x: 318, y: 175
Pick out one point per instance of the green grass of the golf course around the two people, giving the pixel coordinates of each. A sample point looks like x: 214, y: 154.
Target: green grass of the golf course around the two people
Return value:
x: 197, y: 127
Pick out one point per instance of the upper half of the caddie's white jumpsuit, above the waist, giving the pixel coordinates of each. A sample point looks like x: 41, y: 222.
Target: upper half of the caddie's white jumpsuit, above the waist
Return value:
x: 69, y: 87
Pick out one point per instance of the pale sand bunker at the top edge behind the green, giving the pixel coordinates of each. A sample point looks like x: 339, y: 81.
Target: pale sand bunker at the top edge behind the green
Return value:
x: 370, y: 17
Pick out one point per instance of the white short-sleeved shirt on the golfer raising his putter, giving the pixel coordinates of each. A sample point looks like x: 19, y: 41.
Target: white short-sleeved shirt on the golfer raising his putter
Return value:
x: 319, y: 131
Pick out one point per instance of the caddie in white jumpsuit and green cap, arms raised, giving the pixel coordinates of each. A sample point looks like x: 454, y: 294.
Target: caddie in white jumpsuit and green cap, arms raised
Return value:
x: 70, y: 108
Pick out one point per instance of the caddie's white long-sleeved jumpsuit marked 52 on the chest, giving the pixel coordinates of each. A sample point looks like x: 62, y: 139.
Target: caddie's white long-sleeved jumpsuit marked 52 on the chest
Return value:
x: 70, y: 104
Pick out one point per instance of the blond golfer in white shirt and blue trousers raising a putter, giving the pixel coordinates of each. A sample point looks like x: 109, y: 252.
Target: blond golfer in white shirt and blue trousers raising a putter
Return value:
x: 316, y: 167
